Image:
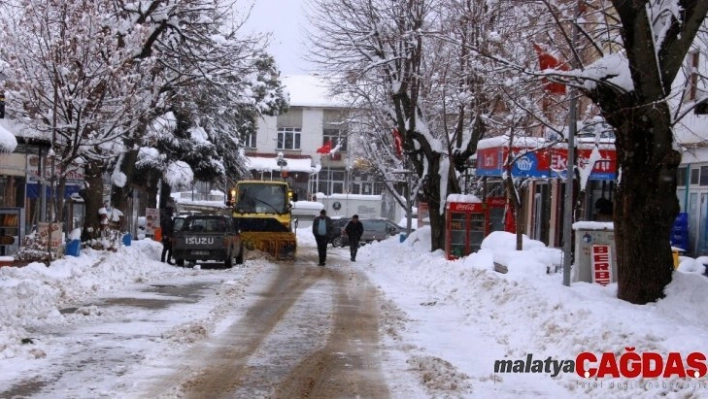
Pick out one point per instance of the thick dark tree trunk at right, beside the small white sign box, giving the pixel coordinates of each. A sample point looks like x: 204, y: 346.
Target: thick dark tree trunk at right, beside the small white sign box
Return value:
x: 645, y: 202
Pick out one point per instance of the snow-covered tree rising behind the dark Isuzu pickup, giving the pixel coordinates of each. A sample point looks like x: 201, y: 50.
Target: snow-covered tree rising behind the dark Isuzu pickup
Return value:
x: 214, y: 79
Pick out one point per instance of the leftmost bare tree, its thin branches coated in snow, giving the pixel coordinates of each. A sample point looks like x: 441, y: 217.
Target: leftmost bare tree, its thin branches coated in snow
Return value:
x: 70, y: 83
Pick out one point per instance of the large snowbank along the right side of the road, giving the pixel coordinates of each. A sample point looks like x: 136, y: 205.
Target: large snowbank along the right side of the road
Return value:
x: 496, y: 316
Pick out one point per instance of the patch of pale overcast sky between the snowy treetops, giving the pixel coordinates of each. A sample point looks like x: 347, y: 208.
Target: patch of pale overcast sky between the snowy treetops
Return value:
x: 285, y: 19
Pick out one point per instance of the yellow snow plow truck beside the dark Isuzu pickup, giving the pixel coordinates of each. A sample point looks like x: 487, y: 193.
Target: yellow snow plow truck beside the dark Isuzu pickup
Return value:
x: 261, y: 211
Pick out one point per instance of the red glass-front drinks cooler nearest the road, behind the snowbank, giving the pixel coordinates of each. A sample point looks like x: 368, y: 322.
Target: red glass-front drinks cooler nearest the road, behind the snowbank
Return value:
x: 466, y: 226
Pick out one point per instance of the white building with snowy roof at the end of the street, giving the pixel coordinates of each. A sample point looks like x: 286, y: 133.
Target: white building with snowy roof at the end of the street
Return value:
x: 313, y: 120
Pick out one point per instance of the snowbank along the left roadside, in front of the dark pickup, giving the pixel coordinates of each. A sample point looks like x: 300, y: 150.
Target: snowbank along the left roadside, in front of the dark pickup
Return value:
x: 35, y: 294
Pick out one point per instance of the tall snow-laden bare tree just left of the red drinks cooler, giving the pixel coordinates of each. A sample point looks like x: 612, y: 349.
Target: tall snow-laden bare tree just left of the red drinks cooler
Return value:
x: 390, y: 58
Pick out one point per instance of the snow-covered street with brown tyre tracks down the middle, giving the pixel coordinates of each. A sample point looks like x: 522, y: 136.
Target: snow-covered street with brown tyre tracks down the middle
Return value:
x: 265, y: 330
